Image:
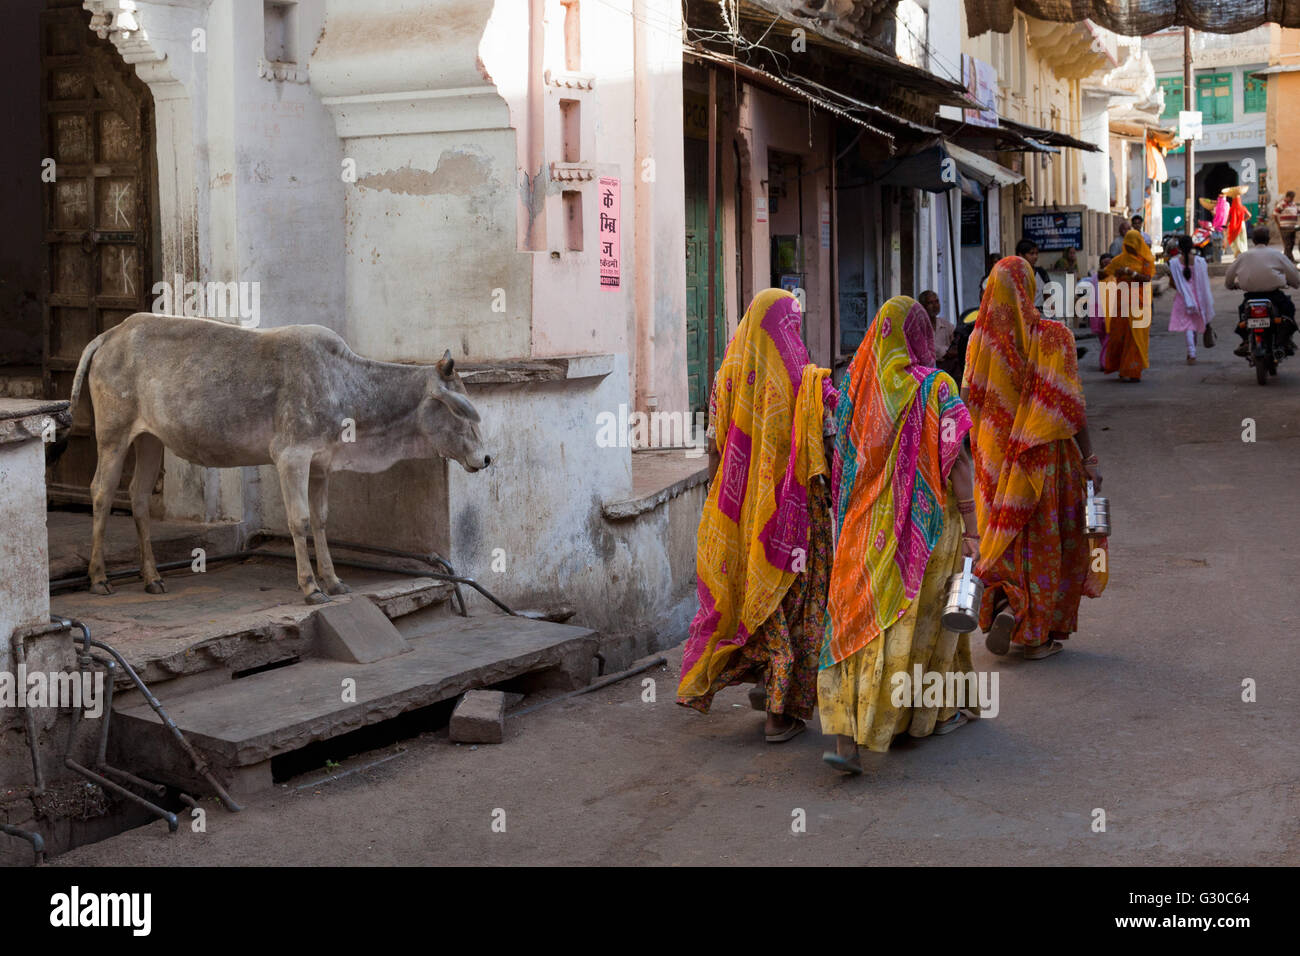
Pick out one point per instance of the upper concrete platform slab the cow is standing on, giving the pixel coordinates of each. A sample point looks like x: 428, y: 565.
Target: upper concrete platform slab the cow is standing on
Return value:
x: 236, y: 617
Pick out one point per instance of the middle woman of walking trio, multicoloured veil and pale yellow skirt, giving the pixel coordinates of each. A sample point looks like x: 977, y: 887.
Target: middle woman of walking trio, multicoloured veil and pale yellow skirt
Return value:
x: 904, y: 524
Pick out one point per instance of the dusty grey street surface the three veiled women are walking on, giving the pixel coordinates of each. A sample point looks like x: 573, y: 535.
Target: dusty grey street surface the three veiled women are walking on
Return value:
x: 1142, y: 716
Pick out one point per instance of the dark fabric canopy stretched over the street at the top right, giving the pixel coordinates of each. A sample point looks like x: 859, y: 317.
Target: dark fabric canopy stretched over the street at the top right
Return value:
x: 1136, y: 18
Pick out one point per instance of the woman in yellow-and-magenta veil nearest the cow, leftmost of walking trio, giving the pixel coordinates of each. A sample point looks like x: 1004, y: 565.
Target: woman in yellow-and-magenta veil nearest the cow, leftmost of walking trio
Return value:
x: 764, y: 550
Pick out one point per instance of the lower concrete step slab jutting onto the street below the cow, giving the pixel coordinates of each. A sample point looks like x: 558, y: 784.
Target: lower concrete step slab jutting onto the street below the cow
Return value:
x: 246, y: 723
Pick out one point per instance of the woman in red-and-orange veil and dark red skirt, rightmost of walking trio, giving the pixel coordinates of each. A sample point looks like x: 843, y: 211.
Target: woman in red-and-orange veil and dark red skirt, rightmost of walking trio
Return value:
x: 1033, y: 460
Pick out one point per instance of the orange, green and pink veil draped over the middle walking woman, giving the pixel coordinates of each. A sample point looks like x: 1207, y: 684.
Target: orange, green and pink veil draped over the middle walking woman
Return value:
x: 900, y: 425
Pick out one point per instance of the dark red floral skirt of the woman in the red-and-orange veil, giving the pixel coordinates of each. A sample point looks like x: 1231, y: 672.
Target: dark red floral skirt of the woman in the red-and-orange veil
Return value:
x: 1052, y: 564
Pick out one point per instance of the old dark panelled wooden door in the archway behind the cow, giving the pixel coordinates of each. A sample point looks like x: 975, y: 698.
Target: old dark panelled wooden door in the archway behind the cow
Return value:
x: 98, y: 123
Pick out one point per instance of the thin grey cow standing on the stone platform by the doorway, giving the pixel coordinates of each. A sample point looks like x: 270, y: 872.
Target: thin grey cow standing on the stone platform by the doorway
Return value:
x: 226, y: 397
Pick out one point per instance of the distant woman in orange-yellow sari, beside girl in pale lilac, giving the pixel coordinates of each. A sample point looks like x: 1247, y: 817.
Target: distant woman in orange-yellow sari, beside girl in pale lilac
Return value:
x: 1125, y: 292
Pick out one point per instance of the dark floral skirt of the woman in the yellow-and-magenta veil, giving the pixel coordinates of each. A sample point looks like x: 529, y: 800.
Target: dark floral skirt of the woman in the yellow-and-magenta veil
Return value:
x: 783, y: 654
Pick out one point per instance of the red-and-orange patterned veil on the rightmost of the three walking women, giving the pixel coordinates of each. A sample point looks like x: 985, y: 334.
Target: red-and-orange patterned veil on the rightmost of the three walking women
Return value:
x: 1024, y: 393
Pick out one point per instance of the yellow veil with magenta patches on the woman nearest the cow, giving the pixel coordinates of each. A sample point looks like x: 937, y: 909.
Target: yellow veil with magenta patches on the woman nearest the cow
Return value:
x: 768, y: 413
